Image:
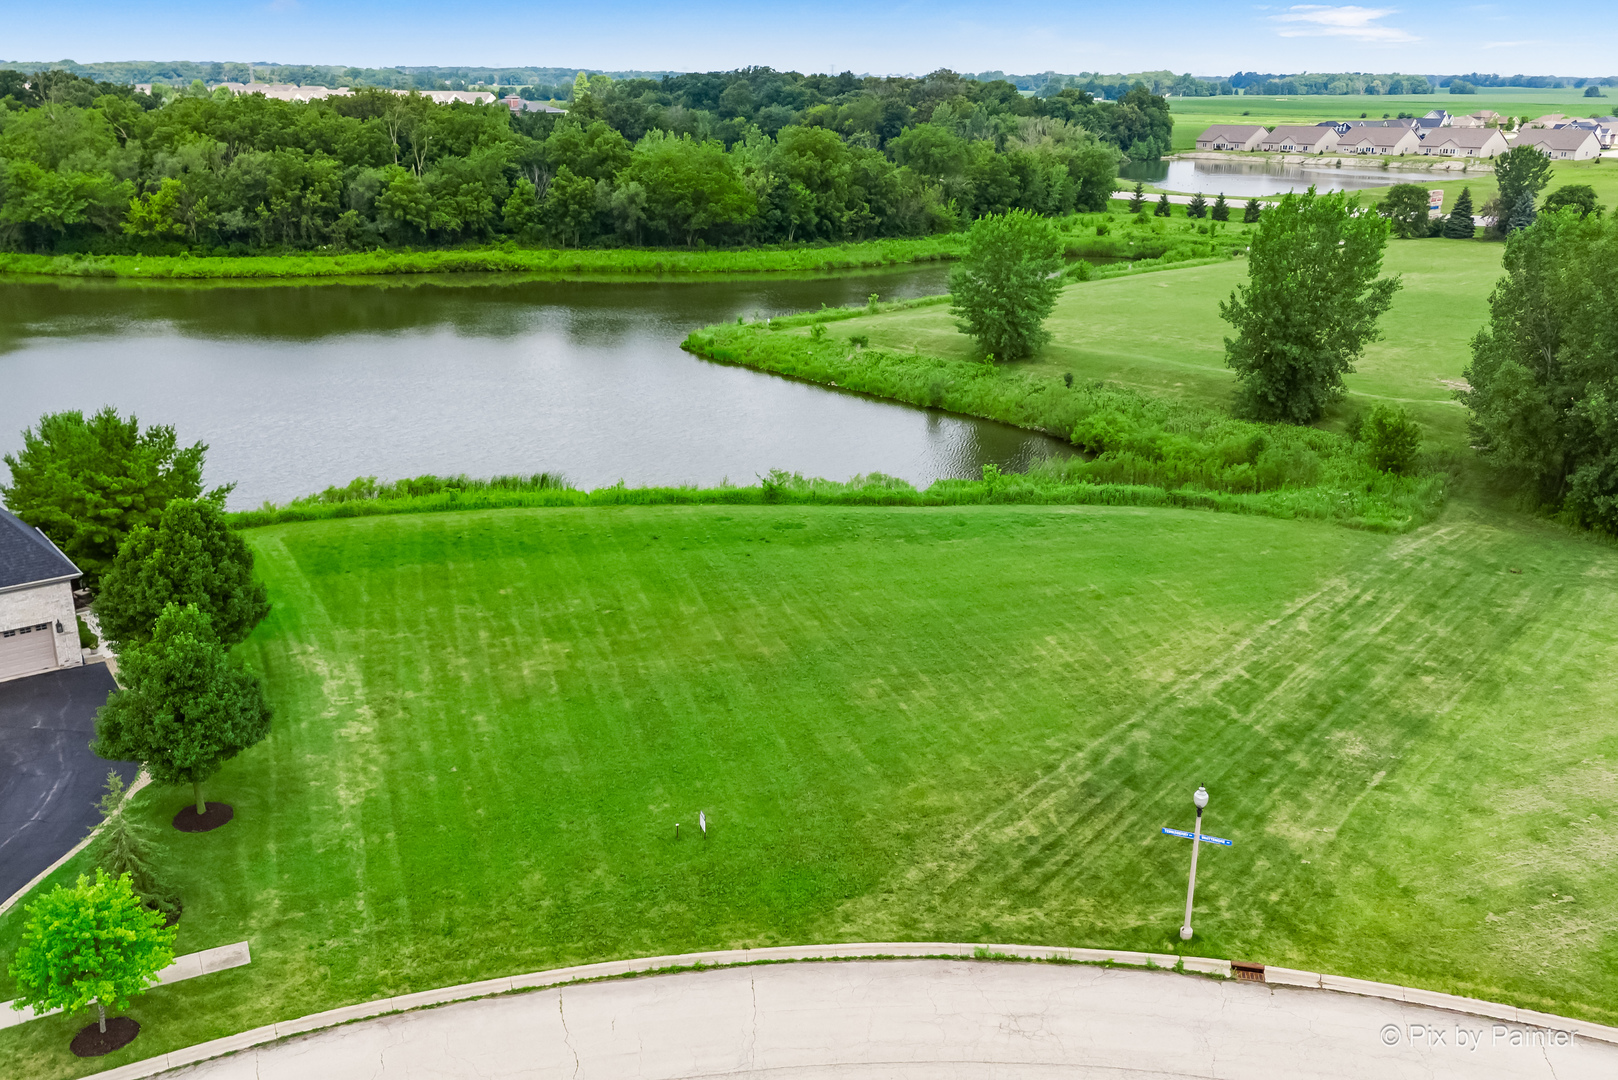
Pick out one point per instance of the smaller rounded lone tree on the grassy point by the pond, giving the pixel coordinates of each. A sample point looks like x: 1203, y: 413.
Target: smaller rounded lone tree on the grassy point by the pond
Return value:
x: 1007, y: 283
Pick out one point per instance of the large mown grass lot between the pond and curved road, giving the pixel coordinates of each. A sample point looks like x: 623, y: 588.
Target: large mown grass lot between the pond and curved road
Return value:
x: 917, y: 725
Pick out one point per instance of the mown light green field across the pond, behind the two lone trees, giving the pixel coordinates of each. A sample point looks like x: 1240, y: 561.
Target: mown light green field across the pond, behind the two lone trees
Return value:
x: 1163, y: 333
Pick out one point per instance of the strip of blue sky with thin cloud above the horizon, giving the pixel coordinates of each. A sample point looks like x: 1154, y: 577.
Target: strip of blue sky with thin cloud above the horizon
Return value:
x: 1205, y: 38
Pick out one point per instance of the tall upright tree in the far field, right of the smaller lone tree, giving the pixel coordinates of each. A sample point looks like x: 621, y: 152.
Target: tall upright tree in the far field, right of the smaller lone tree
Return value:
x: 1310, y: 305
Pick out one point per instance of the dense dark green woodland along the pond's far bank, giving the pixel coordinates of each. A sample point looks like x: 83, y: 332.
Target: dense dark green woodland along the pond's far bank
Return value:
x: 755, y: 156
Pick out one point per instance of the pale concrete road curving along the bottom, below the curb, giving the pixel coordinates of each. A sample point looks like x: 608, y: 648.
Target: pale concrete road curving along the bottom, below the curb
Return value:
x: 921, y: 1019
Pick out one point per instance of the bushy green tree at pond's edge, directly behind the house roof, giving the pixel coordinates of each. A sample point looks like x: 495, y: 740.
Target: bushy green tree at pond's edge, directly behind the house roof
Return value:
x: 90, y: 483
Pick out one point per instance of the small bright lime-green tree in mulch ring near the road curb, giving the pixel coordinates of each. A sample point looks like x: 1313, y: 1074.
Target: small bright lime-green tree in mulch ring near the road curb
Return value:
x: 96, y: 945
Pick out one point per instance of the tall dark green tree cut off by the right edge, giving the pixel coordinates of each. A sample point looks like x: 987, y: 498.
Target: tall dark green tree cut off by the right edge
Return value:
x: 1544, y: 375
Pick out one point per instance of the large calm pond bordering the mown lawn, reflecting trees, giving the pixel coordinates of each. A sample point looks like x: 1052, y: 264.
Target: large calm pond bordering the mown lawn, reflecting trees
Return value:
x: 295, y: 388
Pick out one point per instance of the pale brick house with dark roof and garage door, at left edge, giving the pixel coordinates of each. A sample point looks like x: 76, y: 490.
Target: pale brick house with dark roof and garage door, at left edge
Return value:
x: 38, y: 627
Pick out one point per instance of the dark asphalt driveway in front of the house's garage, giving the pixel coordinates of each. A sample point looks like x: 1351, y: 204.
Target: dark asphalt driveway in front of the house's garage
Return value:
x: 49, y: 778
